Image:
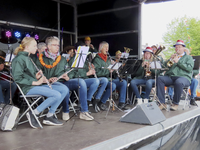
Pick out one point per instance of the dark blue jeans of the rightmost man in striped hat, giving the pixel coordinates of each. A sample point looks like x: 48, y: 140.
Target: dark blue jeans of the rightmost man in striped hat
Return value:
x: 178, y: 82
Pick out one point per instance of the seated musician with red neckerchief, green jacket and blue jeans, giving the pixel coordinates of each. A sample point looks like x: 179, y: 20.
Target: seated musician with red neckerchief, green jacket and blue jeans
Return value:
x: 101, y: 62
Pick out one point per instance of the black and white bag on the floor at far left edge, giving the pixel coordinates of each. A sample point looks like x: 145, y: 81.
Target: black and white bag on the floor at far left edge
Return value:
x: 9, y: 116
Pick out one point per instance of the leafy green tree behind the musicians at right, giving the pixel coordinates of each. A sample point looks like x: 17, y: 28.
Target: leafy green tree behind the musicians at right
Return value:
x: 186, y: 29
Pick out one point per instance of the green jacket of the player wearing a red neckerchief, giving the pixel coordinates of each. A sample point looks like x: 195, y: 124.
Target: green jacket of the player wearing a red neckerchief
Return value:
x: 100, y: 66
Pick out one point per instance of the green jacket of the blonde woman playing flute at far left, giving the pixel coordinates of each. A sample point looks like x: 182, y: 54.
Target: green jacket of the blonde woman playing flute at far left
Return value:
x: 23, y: 71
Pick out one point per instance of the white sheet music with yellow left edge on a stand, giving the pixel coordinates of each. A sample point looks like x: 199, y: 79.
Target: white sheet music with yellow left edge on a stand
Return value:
x: 80, y: 57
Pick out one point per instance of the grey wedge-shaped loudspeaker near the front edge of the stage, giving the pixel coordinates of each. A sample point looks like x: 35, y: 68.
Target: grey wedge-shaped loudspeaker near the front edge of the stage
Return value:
x: 148, y: 113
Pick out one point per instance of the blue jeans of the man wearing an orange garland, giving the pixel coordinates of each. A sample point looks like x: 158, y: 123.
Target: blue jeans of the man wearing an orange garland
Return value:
x: 79, y: 86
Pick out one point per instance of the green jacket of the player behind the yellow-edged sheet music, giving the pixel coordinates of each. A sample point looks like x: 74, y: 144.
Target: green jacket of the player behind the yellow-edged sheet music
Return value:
x: 79, y: 73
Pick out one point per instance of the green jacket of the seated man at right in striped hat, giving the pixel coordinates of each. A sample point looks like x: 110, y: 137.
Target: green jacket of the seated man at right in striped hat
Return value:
x: 183, y: 68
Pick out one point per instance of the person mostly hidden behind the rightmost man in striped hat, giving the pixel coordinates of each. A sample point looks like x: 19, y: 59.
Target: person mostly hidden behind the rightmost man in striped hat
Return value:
x: 193, y: 85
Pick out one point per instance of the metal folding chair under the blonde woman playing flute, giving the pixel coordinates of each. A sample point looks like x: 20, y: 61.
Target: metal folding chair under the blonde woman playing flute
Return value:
x: 31, y: 101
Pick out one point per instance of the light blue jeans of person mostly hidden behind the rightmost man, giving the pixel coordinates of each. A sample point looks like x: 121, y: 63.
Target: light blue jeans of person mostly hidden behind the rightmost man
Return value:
x: 193, y: 87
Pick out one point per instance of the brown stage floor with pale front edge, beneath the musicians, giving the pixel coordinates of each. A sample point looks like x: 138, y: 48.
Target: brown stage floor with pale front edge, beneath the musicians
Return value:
x: 78, y: 134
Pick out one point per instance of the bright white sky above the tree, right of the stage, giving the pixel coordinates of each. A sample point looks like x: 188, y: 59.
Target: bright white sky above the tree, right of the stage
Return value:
x: 156, y: 16
